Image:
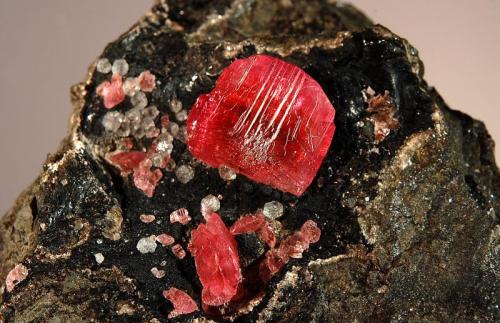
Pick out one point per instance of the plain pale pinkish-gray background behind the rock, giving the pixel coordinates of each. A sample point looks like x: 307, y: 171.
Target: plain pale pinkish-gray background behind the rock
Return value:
x: 46, y: 46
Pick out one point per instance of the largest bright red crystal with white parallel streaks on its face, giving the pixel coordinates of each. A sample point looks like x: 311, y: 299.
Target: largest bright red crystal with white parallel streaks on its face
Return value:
x: 266, y: 119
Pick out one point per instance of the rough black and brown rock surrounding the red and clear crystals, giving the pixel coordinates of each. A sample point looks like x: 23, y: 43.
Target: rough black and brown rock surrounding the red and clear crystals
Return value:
x: 409, y: 219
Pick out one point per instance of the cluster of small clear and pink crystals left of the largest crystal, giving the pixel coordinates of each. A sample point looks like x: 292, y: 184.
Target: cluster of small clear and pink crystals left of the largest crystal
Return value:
x: 138, y: 124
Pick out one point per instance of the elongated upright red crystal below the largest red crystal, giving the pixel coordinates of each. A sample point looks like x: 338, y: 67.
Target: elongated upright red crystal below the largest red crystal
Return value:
x: 217, y: 262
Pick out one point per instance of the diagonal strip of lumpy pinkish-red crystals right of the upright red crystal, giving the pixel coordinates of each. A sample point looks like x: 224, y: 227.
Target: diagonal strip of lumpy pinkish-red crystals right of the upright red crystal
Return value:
x: 292, y: 247
